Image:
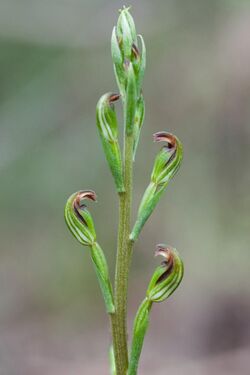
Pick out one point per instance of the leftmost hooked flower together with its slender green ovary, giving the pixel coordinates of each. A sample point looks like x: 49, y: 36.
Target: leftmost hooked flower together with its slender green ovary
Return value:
x: 81, y: 225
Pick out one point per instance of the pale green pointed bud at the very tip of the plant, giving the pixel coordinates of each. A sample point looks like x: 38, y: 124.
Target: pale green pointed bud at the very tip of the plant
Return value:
x: 126, y: 32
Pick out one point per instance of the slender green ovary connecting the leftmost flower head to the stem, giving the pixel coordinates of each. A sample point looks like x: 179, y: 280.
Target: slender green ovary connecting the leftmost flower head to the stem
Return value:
x: 102, y: 273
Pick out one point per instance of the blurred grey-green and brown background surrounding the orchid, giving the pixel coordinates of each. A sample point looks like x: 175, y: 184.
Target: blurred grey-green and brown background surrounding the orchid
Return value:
x: 54, y: 65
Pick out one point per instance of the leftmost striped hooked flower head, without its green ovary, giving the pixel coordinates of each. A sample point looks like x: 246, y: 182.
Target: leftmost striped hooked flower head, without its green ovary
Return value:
x: 78, y: 218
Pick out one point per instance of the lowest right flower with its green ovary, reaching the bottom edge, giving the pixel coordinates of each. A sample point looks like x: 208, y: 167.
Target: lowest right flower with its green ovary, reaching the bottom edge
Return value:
x: 164, y: 282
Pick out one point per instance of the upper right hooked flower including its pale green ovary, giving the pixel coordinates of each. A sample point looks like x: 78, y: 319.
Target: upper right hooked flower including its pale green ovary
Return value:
x: 167, y: 163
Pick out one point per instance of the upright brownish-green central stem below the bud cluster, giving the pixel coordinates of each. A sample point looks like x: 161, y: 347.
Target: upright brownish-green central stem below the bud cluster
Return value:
x: 124, y: 252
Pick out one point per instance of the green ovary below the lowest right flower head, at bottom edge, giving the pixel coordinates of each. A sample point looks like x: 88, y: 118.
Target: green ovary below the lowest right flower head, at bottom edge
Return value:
x: 140, y: 327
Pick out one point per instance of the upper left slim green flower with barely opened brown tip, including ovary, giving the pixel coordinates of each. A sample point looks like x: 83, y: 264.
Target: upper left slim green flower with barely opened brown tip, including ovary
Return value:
x: 108, y: 130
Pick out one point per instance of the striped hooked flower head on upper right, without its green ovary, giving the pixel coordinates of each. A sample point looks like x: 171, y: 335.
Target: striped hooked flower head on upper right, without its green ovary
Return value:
x: 168, y: 159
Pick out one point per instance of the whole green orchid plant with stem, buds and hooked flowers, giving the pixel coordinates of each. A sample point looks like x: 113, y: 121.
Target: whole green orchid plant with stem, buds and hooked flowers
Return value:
x: 129, y: 61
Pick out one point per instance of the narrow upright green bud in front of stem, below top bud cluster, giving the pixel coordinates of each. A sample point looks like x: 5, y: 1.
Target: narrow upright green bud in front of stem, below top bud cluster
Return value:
x: 131, y: 99
